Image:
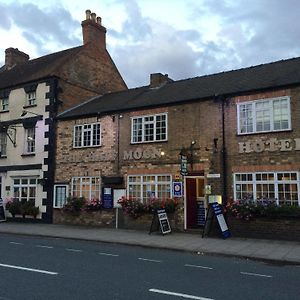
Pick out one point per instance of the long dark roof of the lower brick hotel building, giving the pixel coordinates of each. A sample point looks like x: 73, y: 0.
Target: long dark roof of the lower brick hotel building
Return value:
x: 272, y: 75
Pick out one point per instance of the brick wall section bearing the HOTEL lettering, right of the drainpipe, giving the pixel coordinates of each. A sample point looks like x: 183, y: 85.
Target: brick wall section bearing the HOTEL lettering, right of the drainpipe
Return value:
x: 265, y: 160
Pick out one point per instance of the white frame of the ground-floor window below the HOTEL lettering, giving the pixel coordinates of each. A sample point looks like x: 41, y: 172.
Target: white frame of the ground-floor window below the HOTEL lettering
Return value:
x: 275, y: 181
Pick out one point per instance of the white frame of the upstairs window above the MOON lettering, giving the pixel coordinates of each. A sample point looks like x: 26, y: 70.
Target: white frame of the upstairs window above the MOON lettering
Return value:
x: 155, y: 128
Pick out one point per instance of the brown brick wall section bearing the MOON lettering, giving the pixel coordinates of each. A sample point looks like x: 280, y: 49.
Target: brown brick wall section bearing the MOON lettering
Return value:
x: 197, y: 121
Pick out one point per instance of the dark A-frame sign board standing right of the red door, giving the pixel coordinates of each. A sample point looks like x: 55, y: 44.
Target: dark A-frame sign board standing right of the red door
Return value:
x: 215, y: 209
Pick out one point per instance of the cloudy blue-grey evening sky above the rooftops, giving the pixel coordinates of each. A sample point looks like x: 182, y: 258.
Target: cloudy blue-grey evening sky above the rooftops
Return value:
x: 181, y: 38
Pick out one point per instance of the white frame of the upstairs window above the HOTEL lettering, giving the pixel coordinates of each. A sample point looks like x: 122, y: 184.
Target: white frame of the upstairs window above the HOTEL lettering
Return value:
x: 254, y: 110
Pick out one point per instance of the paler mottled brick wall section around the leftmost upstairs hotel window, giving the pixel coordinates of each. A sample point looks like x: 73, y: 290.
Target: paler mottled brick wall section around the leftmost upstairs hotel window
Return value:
x: 91, y: 161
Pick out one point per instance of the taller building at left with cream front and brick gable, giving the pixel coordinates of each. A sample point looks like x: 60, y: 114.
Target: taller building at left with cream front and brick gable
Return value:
x: 32, y: 92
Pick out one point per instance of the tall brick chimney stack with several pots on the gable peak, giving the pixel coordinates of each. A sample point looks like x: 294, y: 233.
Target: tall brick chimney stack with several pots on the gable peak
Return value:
x: 92, y: 30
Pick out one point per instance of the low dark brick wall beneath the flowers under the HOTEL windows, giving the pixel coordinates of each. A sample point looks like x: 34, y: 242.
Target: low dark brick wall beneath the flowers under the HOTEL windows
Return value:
x: 287, y: 228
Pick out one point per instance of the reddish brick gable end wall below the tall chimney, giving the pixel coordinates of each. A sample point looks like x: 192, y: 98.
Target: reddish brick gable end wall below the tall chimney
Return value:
x: 89, y: 73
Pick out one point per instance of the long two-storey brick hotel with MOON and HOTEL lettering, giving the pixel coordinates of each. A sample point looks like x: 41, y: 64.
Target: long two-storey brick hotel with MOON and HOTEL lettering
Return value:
x: 239, y: 131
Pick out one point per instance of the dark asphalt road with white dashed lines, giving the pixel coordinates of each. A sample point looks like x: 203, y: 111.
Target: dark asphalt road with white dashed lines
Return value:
x: 47, y: 268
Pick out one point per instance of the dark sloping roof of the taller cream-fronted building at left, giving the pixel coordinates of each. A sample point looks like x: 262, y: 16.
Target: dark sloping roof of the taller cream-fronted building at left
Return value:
x: 36, y: 69
